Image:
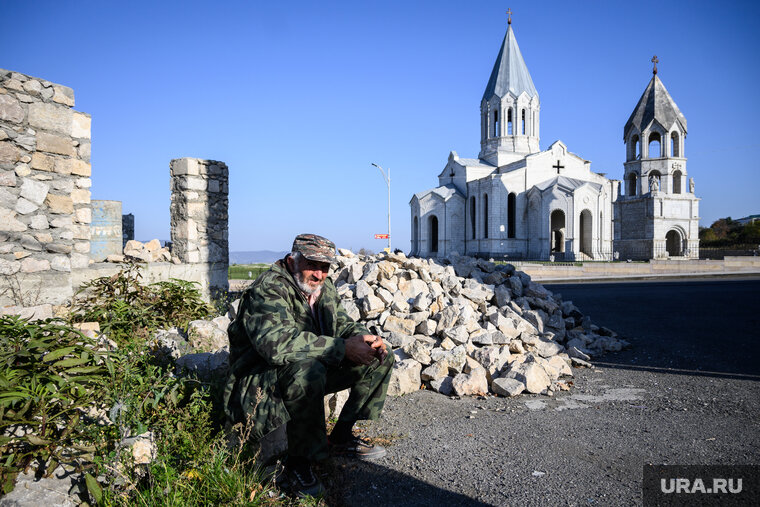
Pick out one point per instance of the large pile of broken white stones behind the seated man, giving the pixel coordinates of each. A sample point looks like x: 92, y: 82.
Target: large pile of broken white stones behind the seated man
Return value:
x: 466, y: 326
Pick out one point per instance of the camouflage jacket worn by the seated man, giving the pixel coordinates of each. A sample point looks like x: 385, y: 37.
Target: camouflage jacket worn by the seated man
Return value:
x: 275, y: 326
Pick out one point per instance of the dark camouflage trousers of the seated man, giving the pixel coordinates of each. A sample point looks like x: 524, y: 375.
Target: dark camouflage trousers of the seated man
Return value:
x: 303, y: 386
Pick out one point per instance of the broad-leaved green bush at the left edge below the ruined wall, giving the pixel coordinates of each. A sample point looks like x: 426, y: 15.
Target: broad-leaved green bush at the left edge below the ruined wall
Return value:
x: 50, y: 374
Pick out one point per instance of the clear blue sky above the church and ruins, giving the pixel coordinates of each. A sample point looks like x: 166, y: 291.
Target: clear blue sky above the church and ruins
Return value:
x: 299, y: 98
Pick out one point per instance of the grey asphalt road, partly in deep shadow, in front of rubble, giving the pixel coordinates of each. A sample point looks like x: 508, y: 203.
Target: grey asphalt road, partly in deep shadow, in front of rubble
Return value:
x: 687, y: 392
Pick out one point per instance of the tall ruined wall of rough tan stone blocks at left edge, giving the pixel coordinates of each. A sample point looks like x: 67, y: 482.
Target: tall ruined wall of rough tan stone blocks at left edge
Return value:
x: 44, y: 189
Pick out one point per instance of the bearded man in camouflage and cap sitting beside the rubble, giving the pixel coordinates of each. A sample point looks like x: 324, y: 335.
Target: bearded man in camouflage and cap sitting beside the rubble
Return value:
x: 293, y: 342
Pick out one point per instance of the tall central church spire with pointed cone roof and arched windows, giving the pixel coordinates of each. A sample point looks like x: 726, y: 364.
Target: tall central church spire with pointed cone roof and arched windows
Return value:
x: 509, y: 109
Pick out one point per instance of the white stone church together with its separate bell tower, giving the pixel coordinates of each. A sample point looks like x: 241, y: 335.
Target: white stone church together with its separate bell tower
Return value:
x: 517, y: 202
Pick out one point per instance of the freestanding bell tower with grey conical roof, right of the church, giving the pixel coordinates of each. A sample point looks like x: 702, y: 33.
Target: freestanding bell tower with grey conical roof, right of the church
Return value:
x: 657, y: 213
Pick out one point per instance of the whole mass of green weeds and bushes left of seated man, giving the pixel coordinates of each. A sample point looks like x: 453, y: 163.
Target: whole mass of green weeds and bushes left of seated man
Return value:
x: 66, y: 398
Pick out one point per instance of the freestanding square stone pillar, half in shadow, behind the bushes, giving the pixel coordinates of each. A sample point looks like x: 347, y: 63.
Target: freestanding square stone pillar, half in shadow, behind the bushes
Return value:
x: 199, y: 231
